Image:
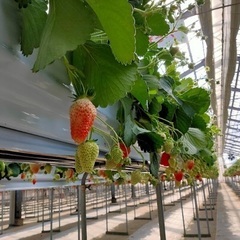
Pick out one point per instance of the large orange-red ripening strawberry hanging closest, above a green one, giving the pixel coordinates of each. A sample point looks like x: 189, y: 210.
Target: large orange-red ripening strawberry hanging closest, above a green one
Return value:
x: 82, y: 116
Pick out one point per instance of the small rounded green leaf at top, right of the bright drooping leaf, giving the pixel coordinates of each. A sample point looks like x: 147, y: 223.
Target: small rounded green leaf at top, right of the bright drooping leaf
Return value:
x: 157, y: 23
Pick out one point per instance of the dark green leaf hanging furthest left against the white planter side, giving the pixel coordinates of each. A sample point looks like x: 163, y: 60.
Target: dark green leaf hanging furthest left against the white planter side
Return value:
x: 33, y: 21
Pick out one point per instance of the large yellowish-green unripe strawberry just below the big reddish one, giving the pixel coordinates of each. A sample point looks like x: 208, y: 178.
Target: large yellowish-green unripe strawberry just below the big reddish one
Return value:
x: 87, y: 153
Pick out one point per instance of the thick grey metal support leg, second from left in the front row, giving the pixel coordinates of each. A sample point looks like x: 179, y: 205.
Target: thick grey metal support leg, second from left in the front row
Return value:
x: 160, y: 211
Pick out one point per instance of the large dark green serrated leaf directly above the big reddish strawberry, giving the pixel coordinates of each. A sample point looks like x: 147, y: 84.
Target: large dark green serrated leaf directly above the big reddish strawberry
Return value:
x: 110, y: 79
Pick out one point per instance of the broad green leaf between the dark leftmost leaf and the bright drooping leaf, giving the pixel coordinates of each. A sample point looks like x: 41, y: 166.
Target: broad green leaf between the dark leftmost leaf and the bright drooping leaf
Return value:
x: 68, y: 25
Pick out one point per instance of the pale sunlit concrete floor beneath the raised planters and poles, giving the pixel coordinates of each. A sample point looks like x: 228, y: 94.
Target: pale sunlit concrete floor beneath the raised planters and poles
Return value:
x: 225, y: 224
